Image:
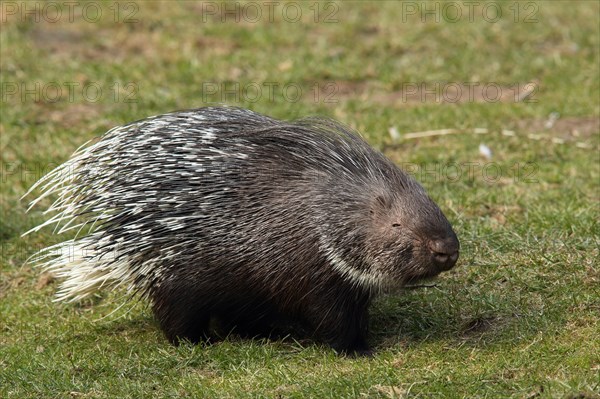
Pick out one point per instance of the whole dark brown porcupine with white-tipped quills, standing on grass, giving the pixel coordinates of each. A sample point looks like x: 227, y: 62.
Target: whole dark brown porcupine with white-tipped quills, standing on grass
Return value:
x: 224, y: 214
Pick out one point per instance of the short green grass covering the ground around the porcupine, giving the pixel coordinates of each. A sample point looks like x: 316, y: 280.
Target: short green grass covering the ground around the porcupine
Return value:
x: 519, y: 315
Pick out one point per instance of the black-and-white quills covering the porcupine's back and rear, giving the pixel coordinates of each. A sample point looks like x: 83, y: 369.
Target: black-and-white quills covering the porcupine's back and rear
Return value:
x: 154, y: 191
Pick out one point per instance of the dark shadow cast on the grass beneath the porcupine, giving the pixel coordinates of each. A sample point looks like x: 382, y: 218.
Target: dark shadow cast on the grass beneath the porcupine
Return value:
x: 405, y: 319
